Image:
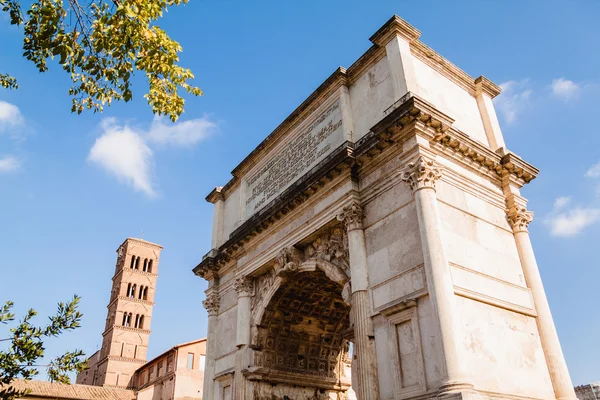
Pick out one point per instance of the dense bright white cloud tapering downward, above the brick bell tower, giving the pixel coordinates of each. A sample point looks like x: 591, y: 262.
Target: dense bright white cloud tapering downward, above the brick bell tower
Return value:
x: 122, y: 152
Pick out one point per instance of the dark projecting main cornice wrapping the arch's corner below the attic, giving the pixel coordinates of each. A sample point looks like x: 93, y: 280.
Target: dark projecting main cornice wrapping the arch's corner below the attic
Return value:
x: 410, y: 111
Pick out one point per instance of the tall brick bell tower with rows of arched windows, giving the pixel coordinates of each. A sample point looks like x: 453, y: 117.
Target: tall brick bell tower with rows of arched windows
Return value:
x: 127, y: 330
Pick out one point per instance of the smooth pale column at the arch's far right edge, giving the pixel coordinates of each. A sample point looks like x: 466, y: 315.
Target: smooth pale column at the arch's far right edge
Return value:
x: 519, y: 219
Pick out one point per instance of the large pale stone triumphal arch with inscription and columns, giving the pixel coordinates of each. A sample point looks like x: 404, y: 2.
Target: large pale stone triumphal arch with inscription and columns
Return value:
x: 375, y: 246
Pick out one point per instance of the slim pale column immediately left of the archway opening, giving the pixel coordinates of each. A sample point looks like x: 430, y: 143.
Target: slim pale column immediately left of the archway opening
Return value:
x: 244, y: 286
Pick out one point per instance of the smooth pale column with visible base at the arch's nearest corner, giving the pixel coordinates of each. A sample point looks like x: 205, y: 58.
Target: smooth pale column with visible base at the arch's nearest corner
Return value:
x: 422, y: 176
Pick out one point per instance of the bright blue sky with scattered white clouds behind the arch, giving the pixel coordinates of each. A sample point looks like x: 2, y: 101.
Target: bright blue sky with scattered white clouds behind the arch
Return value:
x: 72, y: 188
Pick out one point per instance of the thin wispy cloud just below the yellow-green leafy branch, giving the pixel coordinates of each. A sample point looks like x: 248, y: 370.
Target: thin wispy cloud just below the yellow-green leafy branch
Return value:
x: 186, y: 133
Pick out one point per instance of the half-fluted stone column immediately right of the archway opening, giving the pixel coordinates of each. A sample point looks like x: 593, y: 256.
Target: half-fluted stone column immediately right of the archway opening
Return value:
x: 364, y: 363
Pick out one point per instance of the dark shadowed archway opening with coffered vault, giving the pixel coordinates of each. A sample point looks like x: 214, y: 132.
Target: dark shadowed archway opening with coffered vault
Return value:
x: 303, y: 334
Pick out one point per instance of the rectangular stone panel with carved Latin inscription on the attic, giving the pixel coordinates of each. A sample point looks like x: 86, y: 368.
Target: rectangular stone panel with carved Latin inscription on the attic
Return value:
x: 311, y: 145
